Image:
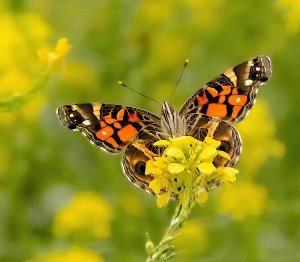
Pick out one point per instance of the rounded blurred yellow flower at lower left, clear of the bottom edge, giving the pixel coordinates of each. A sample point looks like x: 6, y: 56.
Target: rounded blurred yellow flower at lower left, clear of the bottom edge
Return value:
x: 88, y: 214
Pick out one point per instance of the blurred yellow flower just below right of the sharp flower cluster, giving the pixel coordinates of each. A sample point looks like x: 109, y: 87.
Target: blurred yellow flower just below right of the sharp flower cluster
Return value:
x: 247, y: 199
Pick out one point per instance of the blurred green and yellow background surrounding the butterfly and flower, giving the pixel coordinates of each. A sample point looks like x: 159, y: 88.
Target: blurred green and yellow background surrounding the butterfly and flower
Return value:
x: 62, y: 199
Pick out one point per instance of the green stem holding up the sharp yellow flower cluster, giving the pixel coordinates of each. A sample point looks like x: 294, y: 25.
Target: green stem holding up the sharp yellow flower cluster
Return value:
x: 165, y: 250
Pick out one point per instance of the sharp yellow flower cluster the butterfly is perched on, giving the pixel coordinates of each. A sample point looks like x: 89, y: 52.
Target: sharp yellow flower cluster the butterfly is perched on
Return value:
x: 186, y: 167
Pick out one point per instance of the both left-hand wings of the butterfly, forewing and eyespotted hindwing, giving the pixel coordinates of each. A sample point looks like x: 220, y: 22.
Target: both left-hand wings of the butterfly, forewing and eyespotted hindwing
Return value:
x: 116, y: 128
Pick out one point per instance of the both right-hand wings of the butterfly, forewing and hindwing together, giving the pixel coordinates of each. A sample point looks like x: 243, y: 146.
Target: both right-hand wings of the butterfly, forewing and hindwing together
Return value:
x: 224, y: 100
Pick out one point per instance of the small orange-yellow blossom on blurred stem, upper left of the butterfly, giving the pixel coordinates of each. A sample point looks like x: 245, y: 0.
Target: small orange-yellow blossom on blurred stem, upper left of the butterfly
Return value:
x: 52, y: 59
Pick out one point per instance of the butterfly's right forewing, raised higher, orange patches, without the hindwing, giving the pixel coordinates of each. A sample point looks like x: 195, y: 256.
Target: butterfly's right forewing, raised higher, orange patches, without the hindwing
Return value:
x: 231, y: 95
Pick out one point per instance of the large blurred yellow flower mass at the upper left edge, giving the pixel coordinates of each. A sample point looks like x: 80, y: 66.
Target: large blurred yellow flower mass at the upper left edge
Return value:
x: 24, y: 33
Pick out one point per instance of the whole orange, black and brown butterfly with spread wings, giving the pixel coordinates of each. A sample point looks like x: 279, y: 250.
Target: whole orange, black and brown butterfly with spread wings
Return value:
x: 211, y: 111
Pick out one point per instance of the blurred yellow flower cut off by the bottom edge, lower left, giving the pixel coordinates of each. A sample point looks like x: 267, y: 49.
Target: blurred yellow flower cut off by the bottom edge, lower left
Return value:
x: 75, y: 254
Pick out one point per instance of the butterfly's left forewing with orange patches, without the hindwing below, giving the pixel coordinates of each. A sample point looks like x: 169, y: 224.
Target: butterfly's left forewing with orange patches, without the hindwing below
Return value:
x: 111, y: 127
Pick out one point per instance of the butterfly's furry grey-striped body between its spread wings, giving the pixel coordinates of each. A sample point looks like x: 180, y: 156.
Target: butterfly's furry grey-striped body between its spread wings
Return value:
x: 171, y: 122
